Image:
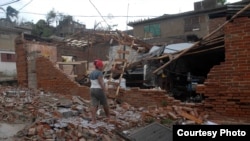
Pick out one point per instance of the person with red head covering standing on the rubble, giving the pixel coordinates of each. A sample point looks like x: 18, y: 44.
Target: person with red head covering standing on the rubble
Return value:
x: 98, y: 90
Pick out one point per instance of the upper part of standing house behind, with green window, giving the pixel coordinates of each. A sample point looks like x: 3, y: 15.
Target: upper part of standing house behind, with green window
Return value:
x: 189, y: 26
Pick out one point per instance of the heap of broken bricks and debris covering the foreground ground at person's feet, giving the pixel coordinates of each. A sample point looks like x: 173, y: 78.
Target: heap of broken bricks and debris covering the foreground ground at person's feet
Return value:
x: 54, y: 117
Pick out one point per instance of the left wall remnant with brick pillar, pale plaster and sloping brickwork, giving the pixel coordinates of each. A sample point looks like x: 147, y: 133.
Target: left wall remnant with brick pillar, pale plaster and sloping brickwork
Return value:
x: 36, y: 69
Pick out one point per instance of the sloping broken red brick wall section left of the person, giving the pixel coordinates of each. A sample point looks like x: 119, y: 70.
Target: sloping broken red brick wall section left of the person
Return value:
x: 52, y: 79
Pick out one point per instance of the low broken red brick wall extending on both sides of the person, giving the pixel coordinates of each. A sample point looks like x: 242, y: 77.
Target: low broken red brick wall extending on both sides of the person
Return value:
x: 52, y: 79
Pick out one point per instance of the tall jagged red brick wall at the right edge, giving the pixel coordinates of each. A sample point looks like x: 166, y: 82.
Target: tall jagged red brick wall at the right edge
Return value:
x: 227, y: 86
